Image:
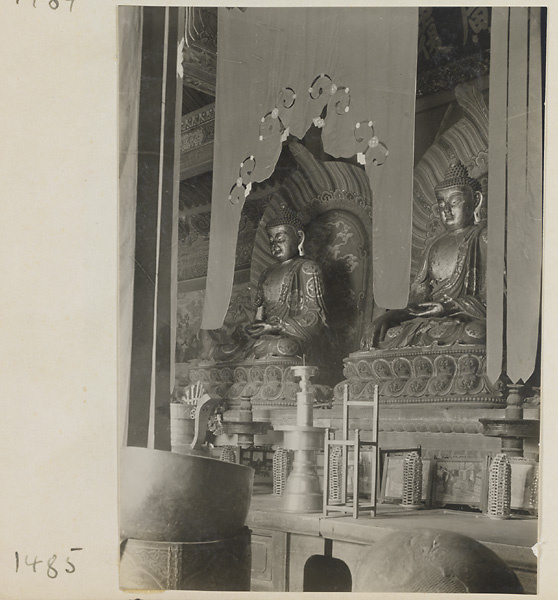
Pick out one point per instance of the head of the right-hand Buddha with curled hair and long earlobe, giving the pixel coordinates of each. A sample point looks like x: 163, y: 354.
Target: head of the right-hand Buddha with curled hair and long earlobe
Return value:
x: 458, y: 196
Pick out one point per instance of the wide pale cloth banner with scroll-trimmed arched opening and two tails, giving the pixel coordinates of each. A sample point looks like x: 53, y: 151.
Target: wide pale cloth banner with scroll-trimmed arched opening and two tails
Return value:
x: 277, y: 69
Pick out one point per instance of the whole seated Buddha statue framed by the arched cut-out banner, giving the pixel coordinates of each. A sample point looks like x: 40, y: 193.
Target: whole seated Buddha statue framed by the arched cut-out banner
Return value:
x: 290, y: 317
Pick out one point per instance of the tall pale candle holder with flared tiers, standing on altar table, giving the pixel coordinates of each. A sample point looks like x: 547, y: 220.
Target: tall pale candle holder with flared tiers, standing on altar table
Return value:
x: 303, y: 492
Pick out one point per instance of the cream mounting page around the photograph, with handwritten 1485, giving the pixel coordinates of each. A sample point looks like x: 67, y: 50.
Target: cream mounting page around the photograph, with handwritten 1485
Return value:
x: 58, y: 311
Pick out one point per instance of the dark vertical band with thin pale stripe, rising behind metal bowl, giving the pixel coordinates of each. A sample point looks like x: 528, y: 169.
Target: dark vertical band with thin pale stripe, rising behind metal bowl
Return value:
x: 152, y: 359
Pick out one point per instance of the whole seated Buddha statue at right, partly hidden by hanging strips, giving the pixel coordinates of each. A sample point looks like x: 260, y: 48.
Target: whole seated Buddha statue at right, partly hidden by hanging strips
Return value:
x: 447, y: 301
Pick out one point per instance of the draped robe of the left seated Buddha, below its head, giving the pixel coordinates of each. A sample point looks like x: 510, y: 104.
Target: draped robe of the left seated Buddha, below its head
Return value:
x: 289, y: 295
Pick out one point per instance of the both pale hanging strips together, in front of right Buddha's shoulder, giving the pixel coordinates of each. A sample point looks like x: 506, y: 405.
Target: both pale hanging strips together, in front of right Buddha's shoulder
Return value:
x: 514, y: 193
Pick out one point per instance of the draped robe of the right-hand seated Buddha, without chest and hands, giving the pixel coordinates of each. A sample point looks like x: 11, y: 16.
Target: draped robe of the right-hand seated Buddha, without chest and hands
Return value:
x: 464, y: 292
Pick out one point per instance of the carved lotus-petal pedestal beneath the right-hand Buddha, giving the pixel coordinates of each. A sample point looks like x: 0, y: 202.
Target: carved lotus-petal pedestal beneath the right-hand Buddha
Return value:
x: 445, y: 376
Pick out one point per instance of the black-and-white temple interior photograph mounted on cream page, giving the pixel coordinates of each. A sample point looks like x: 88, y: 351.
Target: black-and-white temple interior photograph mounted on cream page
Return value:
x: 331, y: 234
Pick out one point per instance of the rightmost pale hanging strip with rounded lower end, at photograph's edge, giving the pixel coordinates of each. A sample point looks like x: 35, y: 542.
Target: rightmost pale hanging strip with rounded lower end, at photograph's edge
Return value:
x: 524, y: 193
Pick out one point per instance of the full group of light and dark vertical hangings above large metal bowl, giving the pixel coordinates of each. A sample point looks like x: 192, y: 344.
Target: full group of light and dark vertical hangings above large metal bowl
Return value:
x: 150, y: 83
